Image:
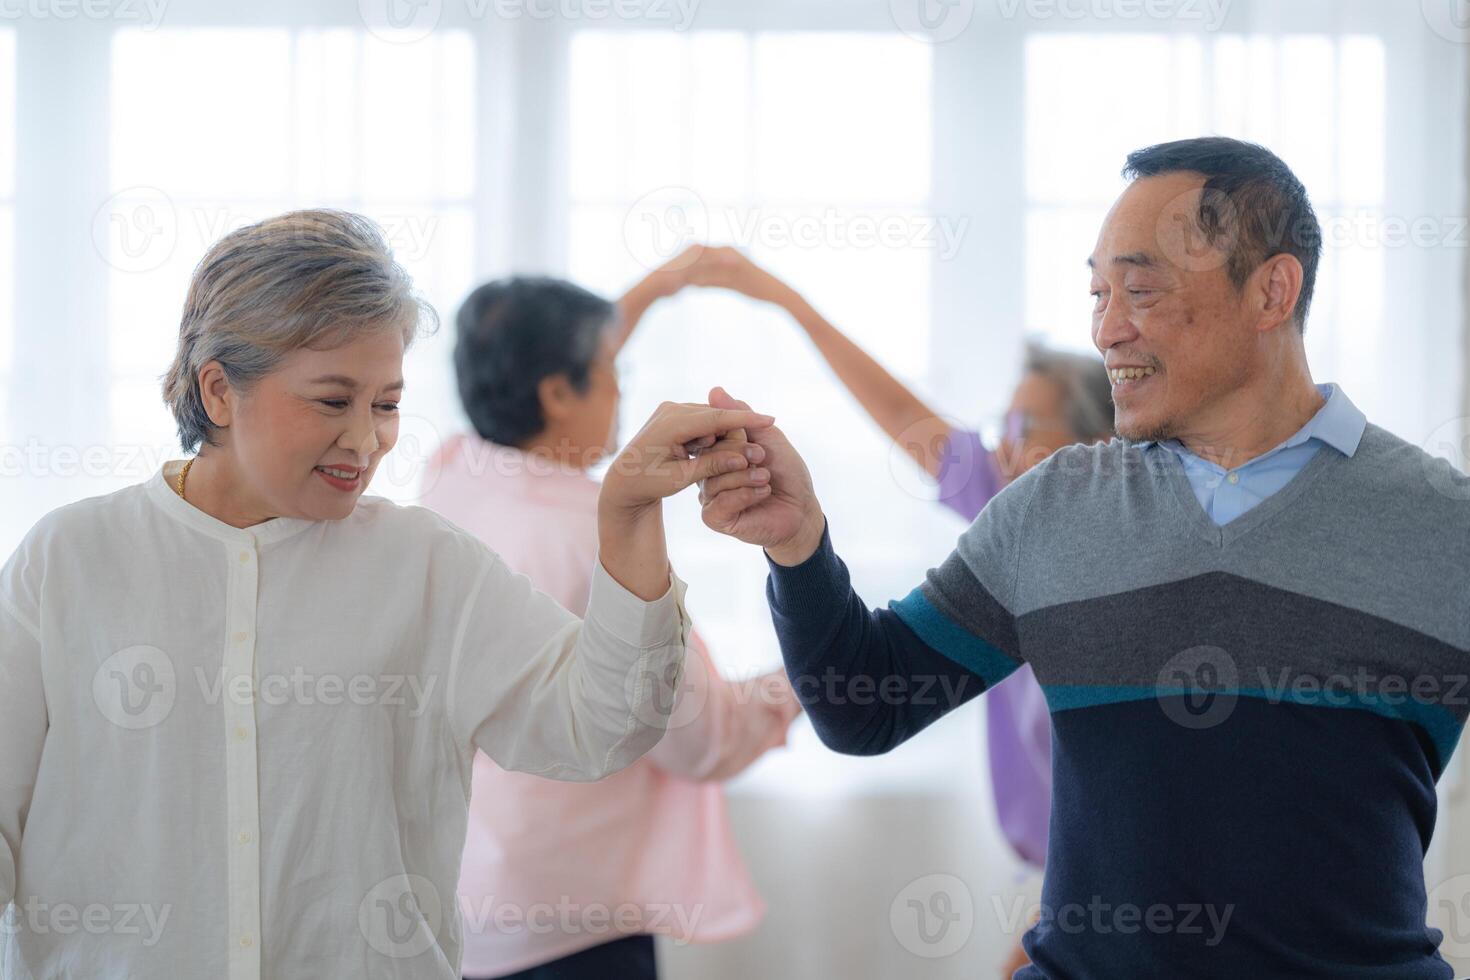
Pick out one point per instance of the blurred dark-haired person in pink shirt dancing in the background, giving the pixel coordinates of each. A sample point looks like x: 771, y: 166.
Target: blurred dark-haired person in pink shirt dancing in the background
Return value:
x: 649, y: 850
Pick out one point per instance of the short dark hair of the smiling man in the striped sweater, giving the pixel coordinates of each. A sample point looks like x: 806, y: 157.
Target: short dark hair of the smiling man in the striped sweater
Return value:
x: 1252, y: 205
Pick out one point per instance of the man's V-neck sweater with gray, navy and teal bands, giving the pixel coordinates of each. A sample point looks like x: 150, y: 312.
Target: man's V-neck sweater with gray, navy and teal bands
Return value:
x: 1249, y: 719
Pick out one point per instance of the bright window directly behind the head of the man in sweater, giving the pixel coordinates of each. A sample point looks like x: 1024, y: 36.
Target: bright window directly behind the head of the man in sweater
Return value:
x: 1331, y: 133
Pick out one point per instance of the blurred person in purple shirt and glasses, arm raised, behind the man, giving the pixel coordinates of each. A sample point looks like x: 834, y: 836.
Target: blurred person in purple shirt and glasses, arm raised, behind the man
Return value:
x: 1062, y: 399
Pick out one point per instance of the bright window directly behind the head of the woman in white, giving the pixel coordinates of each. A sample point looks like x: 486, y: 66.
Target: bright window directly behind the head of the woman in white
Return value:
x: 368, y: 126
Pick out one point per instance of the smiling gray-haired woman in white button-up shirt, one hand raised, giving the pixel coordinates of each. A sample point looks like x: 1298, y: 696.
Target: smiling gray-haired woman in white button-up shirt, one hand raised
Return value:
x: 240, y: 702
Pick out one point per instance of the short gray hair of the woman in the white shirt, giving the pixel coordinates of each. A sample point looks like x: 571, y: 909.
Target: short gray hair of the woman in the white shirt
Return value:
x: 314, y: 278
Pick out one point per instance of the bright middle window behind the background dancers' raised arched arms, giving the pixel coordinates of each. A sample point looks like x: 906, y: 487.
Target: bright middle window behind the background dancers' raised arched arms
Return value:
x: 790, y: 146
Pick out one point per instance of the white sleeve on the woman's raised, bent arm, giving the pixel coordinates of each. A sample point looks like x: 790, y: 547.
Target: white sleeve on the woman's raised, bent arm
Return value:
x: 540, y: 691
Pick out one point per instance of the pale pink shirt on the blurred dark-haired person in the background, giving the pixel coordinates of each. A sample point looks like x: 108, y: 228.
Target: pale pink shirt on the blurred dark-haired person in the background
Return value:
x: 553, y: 868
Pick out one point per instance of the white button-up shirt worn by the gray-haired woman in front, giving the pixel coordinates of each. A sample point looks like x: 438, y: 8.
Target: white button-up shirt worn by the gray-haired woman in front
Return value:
x: 246, y: 753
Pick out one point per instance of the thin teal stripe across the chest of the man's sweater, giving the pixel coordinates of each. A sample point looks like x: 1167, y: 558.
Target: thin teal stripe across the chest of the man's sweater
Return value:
x: 1437, y: 721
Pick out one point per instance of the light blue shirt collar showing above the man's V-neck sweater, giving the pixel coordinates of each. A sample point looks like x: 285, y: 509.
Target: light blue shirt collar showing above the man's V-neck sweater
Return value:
x: 1228, y: 494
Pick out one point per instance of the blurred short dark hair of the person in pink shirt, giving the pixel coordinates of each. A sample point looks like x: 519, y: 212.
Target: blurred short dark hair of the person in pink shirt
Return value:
x: 512, y: 334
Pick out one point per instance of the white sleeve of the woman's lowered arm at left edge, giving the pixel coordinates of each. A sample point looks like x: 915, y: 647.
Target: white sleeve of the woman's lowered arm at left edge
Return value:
x: 23, y: 713
